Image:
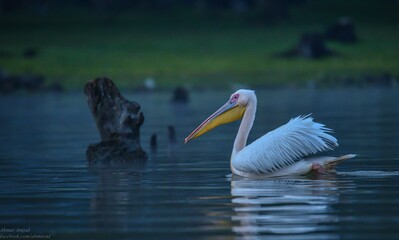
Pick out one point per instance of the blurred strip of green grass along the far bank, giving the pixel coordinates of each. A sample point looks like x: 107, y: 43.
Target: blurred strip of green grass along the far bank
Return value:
x: 192, y: 49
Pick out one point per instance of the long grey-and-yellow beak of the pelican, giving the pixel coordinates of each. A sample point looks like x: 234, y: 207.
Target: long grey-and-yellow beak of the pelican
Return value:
x: 228, y: 113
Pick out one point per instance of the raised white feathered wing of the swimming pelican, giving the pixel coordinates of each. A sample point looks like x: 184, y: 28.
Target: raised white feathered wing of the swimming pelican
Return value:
x: 284, y: 146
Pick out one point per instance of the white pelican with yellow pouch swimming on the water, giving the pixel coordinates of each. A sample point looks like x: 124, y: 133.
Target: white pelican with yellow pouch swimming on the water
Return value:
x: 281, y: 152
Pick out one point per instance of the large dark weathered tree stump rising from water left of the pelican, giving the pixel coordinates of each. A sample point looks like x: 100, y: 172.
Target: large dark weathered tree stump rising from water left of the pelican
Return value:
x: 118, y: 122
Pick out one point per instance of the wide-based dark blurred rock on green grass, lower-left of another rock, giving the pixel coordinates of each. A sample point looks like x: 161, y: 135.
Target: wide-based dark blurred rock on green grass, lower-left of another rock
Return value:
x: 310, y: 46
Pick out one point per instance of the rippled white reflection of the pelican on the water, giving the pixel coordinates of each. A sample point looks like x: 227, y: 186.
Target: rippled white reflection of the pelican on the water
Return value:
x: 298, y: 208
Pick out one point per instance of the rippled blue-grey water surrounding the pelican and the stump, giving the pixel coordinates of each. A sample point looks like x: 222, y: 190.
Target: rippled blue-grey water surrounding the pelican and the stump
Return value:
x: 184, y: 191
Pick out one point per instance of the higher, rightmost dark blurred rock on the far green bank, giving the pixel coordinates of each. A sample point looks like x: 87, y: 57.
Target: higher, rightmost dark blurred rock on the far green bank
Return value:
x: 341, y: 31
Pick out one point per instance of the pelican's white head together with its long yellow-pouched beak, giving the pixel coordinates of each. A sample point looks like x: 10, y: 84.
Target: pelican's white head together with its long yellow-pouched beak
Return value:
x: 231, y: 111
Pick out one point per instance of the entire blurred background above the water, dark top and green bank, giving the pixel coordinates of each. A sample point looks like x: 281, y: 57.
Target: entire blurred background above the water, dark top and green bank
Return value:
x: 196, y: 43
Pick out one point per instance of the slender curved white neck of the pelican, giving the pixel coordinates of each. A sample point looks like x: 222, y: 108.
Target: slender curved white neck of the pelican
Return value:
x: 245, y: 127
